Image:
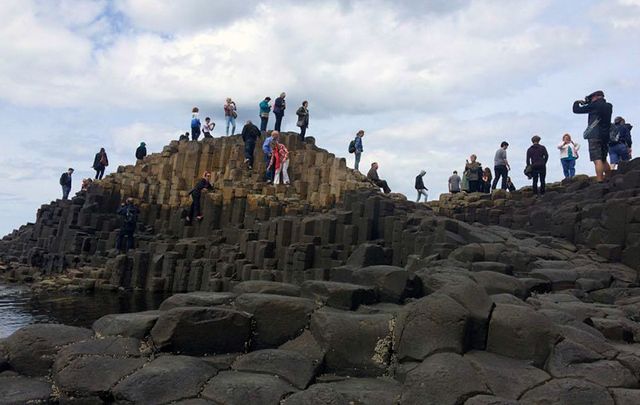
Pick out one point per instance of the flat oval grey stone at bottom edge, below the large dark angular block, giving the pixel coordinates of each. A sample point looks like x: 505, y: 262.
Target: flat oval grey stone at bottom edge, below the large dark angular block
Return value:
x: 165, y: 379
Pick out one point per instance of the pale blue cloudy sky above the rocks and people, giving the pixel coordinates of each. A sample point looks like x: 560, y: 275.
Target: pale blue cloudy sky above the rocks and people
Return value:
x: 429, y: 81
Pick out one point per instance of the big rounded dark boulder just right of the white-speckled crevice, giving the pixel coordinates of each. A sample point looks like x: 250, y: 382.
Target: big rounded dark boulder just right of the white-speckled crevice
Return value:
x: 435, y: 323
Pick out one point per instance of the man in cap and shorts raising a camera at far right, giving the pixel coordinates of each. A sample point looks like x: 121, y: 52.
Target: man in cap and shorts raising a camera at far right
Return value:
x: 598, y: 109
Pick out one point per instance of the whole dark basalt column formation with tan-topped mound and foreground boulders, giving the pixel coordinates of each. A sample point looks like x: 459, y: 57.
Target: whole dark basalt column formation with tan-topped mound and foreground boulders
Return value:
x: 328, y: 292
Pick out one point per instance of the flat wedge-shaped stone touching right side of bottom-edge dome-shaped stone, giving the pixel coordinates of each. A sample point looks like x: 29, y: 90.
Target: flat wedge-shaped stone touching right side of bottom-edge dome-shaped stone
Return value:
x: 506, y: 377
